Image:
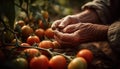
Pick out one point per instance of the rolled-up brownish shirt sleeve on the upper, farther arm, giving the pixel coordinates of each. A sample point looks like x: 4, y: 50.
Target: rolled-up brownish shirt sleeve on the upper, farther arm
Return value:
x: 102, y: 9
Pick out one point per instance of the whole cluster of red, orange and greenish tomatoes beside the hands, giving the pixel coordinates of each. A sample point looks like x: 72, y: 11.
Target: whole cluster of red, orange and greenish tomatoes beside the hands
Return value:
x: 33, y: 50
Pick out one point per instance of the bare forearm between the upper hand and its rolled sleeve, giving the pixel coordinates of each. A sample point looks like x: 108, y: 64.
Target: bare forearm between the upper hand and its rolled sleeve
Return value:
x: 88, y: 15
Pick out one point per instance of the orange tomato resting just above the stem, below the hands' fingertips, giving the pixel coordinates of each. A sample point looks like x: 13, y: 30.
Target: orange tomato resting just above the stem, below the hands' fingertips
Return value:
x: 46, y: 44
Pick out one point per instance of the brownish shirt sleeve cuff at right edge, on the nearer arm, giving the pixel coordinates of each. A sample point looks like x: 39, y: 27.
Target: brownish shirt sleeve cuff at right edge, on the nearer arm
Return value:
x: 114, y: 36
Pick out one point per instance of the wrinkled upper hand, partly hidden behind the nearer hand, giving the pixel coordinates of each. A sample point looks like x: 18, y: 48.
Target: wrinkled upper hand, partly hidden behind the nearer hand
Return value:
x: 70, y: 19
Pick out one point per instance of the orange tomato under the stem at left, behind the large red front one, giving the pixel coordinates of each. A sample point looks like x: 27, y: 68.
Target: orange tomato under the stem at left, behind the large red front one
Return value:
x: 30, y: 53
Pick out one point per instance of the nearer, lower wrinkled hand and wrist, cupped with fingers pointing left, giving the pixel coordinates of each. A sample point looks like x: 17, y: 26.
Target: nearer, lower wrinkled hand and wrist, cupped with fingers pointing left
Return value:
x: 74, y: 34
